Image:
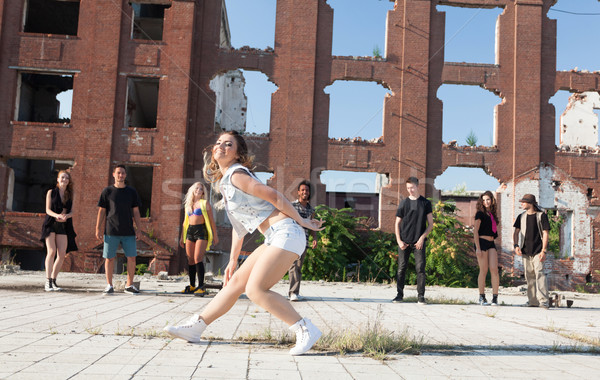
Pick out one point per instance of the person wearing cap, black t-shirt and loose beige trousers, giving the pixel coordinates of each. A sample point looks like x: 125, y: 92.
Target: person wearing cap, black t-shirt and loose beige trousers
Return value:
x: 530, y: 239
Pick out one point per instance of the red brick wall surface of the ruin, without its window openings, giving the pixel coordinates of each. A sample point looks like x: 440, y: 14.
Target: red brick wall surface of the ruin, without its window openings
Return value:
x: 102, y: 56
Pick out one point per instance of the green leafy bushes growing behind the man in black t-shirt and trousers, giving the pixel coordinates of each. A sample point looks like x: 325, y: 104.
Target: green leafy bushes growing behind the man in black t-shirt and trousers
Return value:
x: 348, y: 250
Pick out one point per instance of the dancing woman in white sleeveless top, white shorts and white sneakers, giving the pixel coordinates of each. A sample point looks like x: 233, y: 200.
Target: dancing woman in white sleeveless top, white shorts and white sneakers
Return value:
x: 252, y: 205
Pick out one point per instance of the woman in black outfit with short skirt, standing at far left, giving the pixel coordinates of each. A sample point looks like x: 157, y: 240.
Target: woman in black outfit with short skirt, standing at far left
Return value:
x: 57, y: 231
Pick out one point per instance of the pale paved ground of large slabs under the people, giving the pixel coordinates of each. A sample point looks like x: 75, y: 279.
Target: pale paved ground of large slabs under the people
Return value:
x: 78, y: 333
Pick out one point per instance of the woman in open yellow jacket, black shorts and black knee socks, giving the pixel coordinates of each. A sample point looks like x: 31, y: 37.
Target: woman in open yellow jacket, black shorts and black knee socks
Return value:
x: 198, y: 233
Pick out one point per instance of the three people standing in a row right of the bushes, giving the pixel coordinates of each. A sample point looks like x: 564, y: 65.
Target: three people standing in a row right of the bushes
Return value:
x: 414, y: 222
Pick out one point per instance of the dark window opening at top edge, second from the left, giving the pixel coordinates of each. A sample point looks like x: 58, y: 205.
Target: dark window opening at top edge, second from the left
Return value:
x: 148, y: 20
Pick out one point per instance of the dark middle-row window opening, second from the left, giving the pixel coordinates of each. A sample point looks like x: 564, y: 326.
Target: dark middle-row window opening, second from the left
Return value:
x: 142, y: 102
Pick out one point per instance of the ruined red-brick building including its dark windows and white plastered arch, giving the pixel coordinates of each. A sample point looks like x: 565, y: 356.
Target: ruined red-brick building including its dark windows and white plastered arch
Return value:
x: 141, y: 72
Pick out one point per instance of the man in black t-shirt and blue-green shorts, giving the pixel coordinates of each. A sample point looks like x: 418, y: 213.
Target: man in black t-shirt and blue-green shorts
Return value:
x: 119, y: 206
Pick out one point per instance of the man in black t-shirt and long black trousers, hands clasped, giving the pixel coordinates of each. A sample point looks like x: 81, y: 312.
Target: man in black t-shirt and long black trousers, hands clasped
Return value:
x: 414, y: 221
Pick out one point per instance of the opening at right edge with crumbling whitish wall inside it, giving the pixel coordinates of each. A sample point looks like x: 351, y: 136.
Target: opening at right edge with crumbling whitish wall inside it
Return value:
x: 576, y: 119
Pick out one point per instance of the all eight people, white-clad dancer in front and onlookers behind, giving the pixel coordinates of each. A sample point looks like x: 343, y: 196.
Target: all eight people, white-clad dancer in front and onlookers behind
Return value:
x: 252, y: 205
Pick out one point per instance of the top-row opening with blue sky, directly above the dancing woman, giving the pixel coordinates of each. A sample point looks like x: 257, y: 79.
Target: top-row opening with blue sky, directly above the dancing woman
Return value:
x: 251, y: 23
